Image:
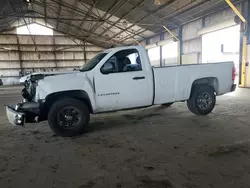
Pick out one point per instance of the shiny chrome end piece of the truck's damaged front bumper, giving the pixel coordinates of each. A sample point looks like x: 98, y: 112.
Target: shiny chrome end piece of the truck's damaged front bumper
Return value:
x: 14, y: 117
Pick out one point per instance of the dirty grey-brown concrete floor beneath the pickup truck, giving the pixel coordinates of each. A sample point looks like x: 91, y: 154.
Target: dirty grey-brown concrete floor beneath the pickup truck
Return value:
x: 153, y: 148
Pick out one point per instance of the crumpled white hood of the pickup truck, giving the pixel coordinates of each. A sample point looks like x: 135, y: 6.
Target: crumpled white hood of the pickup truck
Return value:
x: 41, y: 75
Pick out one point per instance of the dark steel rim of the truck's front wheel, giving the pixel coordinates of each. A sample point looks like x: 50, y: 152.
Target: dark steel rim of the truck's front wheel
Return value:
x: 69, y: 117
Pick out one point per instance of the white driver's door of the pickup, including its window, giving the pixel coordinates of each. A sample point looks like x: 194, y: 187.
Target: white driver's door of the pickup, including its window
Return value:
x: 121, y: 83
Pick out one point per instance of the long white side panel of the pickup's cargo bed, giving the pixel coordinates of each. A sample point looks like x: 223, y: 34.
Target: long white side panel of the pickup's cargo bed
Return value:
x: 174, y: 83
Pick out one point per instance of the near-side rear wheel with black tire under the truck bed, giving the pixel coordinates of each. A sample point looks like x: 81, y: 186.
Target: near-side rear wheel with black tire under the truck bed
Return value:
x: 194, y: 103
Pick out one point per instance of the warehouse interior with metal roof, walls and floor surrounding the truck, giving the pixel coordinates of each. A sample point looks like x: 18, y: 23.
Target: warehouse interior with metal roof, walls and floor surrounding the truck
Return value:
x: 155, y: 147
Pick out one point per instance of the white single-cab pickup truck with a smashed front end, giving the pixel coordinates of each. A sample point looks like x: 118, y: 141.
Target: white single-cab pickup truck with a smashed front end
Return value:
x: 117, y: 79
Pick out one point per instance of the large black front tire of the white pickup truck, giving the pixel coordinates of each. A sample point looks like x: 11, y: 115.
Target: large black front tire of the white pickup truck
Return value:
x: 63, y: 104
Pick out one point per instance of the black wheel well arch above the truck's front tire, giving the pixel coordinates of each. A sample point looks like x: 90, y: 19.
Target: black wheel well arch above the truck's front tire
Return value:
x: 76, y: 94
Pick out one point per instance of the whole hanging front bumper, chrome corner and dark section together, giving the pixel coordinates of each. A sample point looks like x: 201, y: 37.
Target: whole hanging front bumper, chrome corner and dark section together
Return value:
x: 22, y: 113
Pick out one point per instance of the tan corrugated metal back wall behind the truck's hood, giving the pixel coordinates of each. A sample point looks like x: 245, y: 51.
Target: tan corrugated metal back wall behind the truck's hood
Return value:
x: 24, y: 53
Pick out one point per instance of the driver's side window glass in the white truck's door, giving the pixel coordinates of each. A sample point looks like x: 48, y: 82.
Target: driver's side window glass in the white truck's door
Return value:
x: 123, y: 61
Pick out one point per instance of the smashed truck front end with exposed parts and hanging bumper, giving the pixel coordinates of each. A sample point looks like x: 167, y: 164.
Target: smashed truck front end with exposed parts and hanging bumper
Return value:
x: 29, y: 110
